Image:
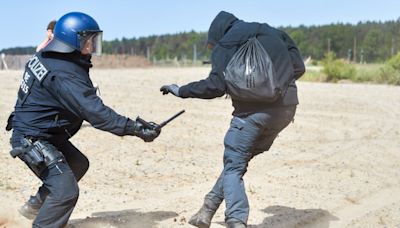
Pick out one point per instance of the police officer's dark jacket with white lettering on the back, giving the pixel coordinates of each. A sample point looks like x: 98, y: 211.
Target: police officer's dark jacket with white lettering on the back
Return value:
x: 56, y: 96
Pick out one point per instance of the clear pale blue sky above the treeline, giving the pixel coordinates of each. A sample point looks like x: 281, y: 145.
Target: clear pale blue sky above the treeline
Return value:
x: 23, y: 23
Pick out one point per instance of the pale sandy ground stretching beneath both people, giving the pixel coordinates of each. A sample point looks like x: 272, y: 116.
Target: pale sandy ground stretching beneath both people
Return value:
x: 338, y: 165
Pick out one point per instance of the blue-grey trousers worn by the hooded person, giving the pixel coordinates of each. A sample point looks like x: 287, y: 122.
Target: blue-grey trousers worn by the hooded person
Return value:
x: 245, y: 138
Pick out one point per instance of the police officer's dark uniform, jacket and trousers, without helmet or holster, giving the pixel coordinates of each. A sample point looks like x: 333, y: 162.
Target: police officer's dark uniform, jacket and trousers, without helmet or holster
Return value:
x: 56, y: 95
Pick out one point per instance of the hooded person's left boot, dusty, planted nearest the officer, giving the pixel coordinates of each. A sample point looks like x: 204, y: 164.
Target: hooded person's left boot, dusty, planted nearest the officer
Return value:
x: 202, y: 218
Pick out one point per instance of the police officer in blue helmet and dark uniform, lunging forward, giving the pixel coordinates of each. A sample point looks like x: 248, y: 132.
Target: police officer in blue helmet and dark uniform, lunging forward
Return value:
x: 55, y: 97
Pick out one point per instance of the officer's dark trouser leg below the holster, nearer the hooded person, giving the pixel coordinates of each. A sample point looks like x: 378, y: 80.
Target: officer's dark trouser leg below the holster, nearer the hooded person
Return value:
x: 60, y: 188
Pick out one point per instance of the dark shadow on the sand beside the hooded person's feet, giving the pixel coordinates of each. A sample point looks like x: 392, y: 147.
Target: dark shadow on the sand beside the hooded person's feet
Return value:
x: 287, y: 217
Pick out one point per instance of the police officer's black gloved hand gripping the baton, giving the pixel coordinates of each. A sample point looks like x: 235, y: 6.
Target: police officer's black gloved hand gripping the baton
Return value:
x: 147, y: 133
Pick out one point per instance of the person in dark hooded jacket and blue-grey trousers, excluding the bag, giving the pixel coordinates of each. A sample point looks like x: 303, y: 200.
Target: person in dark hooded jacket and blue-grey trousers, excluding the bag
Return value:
x: 254, y: 125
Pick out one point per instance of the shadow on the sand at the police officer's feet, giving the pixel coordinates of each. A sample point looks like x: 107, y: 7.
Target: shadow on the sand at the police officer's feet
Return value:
x: 122, y: 219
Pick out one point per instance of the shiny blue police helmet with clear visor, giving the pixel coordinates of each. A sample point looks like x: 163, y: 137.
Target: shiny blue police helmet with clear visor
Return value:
x: 73, y: 31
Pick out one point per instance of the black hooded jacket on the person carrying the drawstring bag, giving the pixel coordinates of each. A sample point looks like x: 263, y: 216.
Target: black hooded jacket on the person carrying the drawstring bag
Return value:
x: 227, y: 34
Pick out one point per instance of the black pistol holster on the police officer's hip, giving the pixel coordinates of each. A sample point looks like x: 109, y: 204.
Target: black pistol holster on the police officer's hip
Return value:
x: 37, y: 153
